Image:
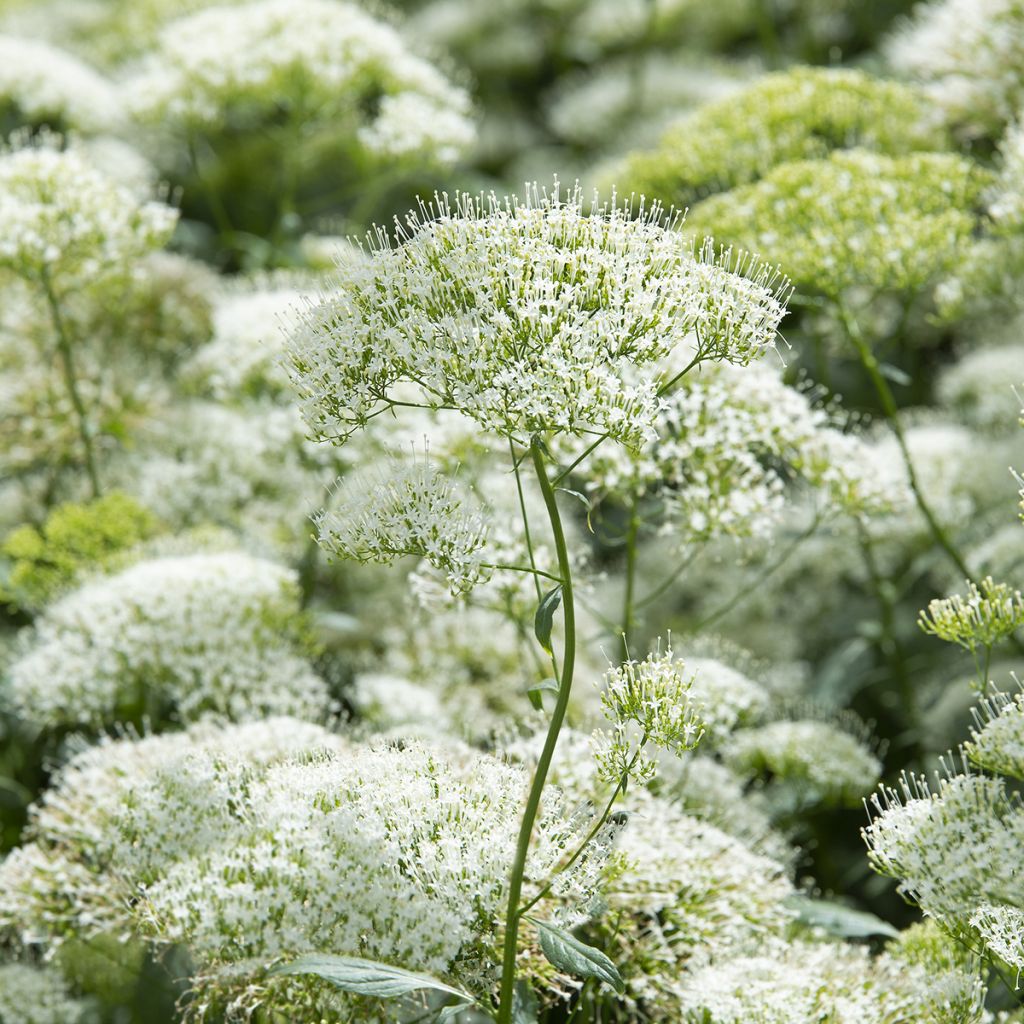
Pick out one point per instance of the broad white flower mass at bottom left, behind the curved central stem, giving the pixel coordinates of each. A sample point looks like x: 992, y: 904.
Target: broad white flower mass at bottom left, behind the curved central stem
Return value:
x: 316, y: 844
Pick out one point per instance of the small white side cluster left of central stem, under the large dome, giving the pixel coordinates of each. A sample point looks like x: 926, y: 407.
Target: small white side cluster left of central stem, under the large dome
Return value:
x: 407, y: 509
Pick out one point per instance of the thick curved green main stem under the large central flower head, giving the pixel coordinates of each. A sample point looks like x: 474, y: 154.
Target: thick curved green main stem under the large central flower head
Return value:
x: 514, y: 913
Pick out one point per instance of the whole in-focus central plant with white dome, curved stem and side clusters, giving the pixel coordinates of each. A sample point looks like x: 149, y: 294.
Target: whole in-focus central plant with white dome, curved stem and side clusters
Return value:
x: 539, y: 320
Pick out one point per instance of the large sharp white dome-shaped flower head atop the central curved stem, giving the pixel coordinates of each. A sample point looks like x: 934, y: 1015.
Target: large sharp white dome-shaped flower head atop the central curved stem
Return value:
x: 537, y: 317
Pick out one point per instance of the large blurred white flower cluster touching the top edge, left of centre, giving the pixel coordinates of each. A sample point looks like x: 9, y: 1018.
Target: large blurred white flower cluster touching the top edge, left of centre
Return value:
x: 326, y: 62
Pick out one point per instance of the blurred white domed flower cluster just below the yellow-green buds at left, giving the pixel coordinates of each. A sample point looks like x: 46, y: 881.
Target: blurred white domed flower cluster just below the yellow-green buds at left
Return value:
x: 189, y: 635
